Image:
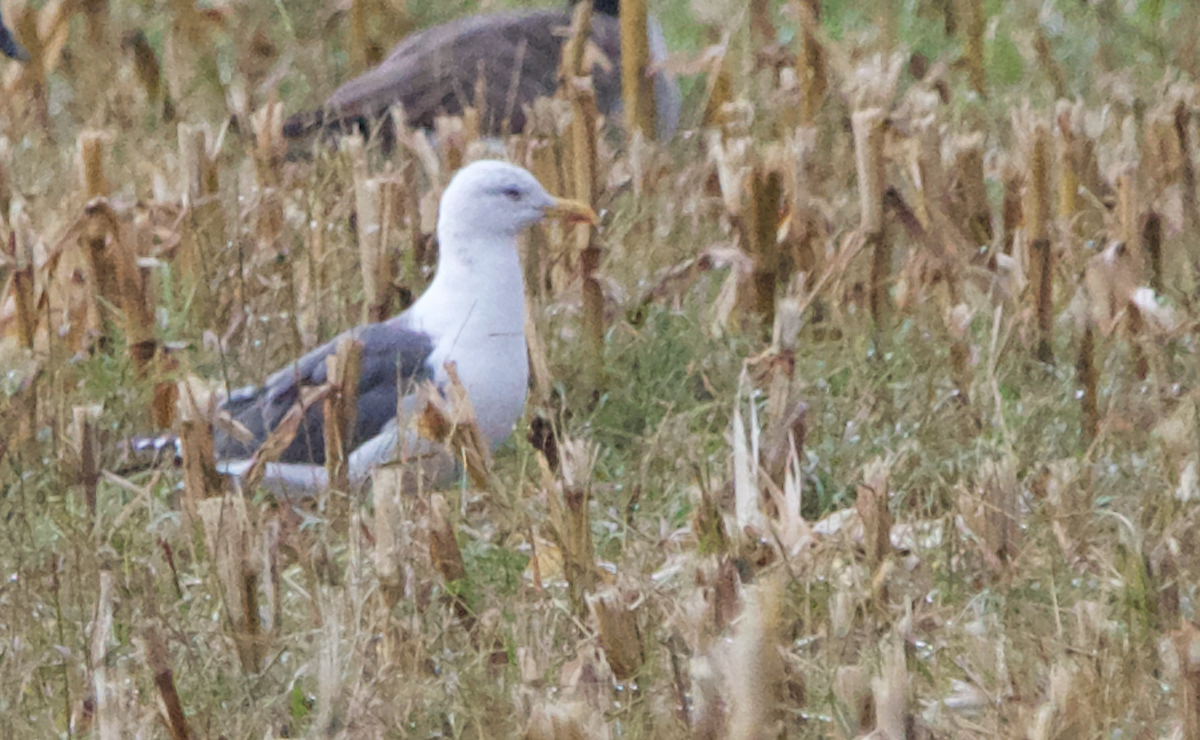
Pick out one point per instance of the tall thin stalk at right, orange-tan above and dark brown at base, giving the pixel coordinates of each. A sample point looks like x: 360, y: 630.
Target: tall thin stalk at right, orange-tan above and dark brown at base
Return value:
x: 1037, y: 214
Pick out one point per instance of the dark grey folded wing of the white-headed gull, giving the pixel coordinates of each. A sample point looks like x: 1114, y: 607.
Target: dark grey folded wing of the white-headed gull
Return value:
x: 393, y: 358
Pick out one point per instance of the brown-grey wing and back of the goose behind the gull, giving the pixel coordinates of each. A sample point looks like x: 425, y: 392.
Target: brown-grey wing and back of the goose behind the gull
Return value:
x: 434, y: 73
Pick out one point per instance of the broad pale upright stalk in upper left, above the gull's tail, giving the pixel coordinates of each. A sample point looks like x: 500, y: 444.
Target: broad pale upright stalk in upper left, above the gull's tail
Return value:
x: 205, y: 227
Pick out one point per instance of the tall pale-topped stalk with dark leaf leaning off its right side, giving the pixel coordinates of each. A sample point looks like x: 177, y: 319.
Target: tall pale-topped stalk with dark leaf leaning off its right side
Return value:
x: 869, y: 140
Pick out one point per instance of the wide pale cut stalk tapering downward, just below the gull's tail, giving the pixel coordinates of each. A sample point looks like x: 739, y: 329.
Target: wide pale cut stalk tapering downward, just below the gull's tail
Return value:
x: 229, y: 534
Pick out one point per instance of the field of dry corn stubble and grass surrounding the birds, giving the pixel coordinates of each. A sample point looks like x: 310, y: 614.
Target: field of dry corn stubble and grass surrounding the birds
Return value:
x: 947, y: 491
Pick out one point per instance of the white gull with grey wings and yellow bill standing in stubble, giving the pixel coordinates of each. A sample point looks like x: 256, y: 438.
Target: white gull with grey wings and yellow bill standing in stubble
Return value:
x: 472, y: 315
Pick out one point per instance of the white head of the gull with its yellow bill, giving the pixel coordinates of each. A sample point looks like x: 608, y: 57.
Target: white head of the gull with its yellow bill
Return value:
x: 495, y: 201
